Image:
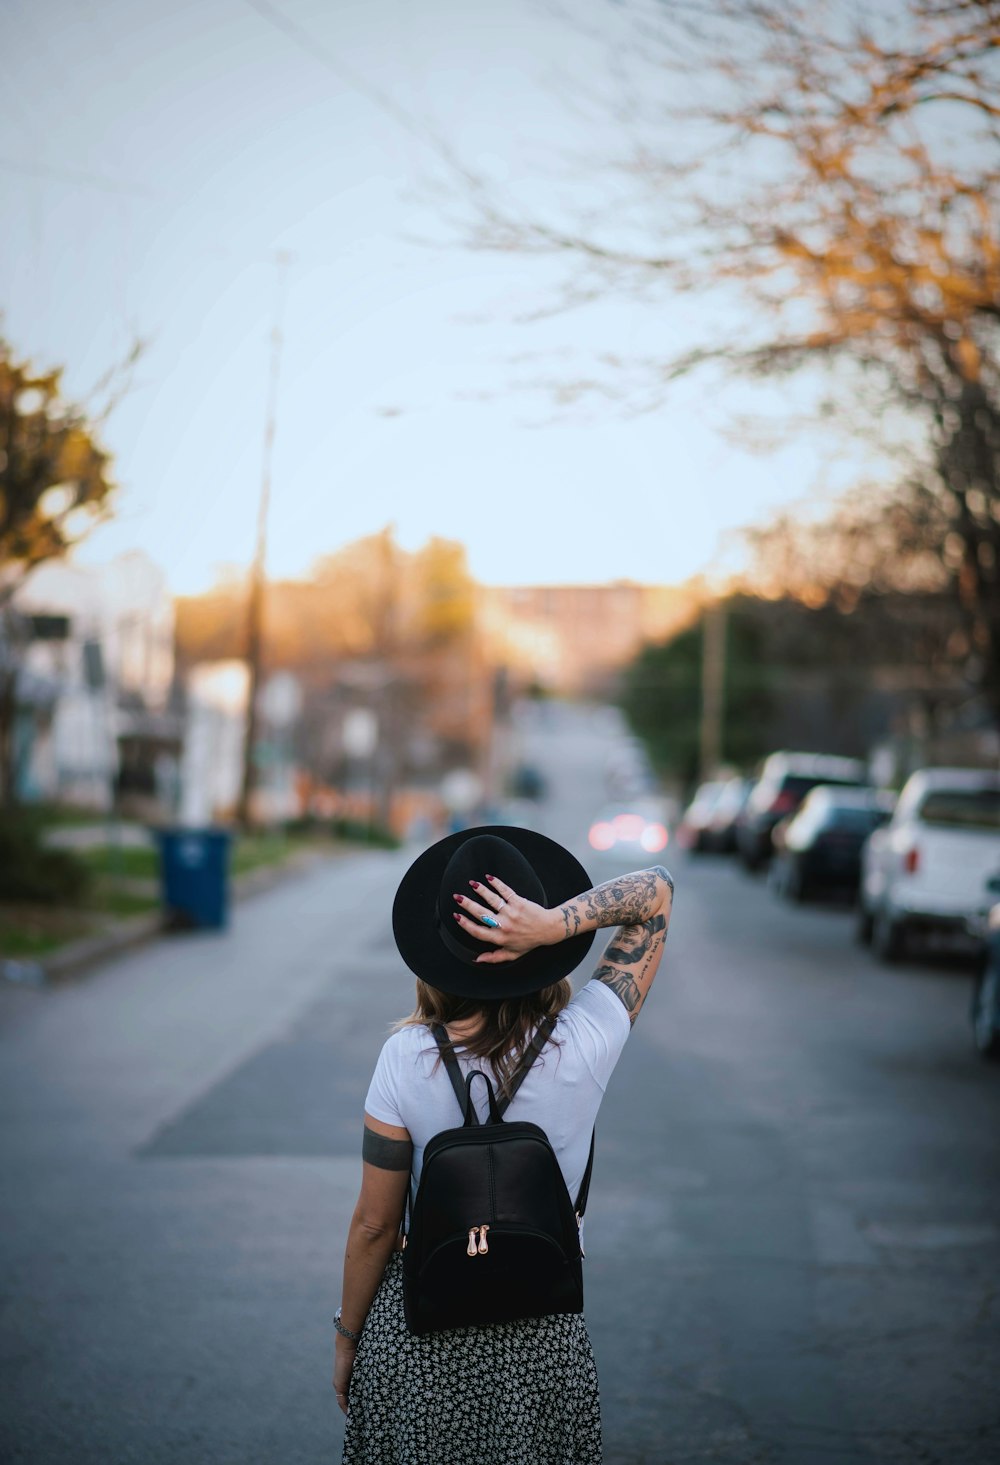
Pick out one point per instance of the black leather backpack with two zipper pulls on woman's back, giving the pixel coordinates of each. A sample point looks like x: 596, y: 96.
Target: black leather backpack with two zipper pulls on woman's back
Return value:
x: 493, y: 1234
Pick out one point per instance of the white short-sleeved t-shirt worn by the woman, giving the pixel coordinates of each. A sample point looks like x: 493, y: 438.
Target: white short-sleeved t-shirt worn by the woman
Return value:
x: 561, y: 1092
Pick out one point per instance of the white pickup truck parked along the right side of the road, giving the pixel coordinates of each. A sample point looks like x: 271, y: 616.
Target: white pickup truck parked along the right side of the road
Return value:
x: 932, y: 865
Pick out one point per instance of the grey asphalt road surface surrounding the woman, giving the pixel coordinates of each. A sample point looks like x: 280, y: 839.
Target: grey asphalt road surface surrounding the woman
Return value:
x: 793, y: 1240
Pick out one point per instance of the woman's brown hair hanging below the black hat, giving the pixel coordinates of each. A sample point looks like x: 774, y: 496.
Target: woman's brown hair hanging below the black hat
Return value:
x: 506, y: 1026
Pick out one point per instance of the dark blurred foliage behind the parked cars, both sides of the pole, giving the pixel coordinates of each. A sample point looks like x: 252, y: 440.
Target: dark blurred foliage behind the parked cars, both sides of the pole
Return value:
x: 828, y: 676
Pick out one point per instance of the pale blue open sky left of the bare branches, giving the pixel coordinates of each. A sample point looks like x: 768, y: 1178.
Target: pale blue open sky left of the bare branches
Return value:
x: 156, y: 159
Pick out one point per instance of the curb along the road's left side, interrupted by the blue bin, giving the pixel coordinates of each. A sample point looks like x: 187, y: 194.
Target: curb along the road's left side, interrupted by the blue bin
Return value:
x: 83, y: 956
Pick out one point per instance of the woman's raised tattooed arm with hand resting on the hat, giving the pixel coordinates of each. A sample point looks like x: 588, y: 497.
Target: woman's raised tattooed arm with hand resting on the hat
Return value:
x: 639, y: 905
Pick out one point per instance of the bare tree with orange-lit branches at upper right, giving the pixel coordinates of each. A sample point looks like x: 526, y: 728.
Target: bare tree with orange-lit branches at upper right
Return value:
x: 831, y: 178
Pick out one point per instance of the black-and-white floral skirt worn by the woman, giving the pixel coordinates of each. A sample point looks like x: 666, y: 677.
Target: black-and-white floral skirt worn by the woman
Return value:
x: 515, y: 1394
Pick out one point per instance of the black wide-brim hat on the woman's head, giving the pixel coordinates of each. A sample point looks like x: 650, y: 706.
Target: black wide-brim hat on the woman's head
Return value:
x: 436, y: 947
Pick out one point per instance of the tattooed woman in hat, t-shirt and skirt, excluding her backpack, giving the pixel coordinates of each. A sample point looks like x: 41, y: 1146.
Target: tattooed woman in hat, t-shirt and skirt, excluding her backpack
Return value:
x: 491, y: 922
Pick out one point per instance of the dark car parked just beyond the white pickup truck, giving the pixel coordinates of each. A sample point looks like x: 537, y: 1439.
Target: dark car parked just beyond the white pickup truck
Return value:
x: 819, y: 848
